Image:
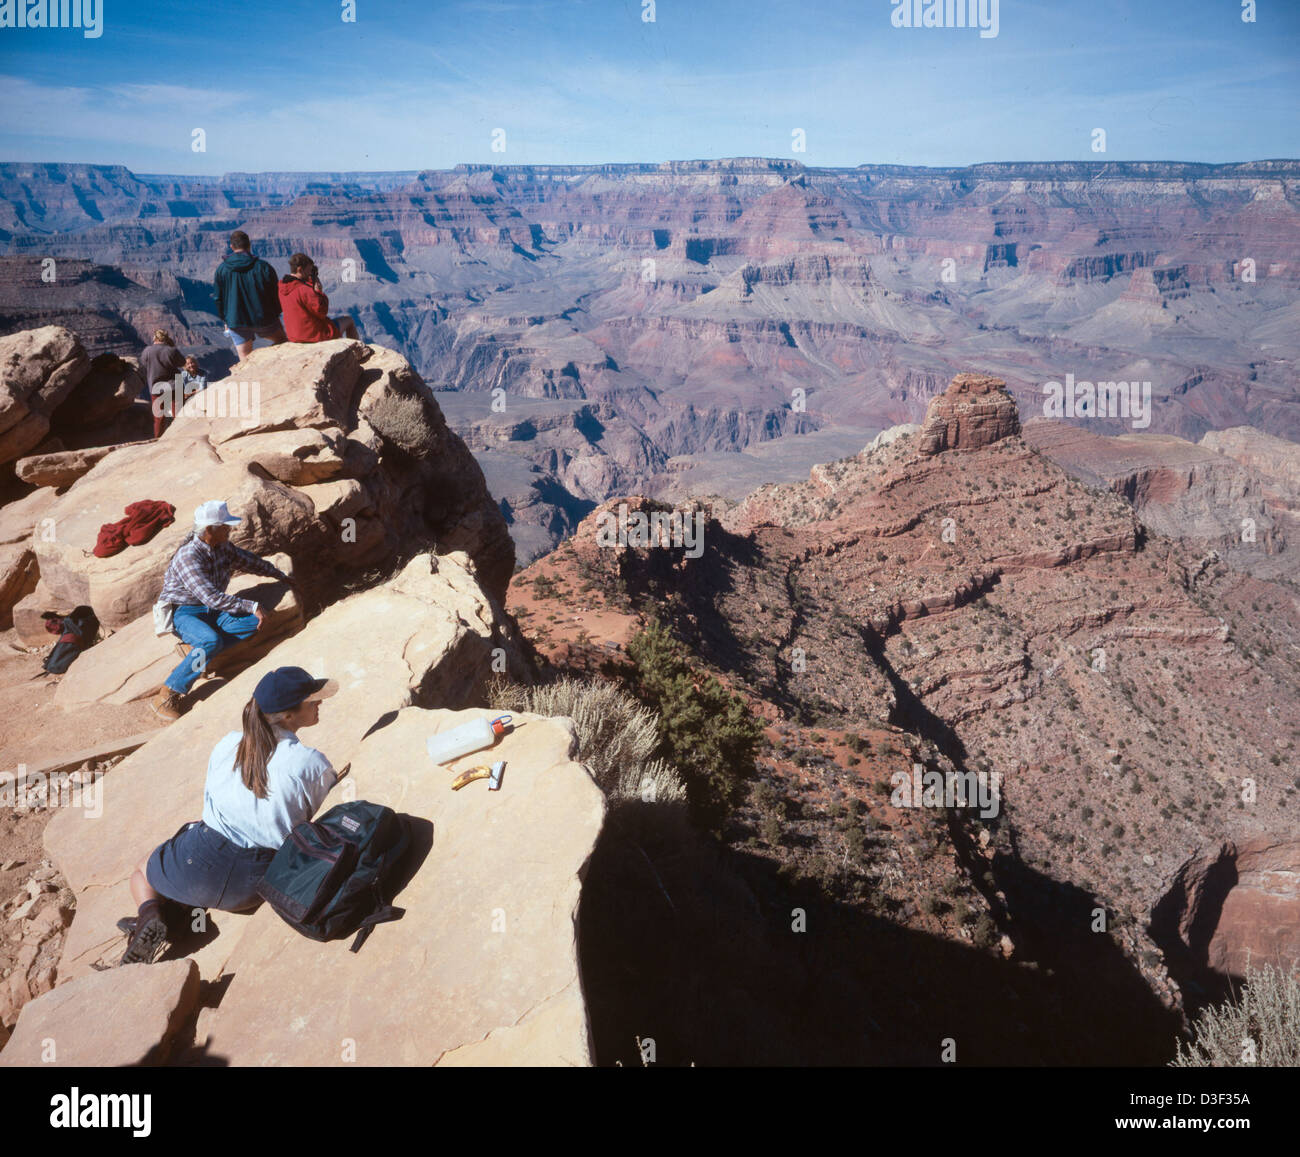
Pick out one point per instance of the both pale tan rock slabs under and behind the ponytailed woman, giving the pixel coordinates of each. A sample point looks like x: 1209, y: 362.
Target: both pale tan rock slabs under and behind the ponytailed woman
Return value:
x: 483, y: 968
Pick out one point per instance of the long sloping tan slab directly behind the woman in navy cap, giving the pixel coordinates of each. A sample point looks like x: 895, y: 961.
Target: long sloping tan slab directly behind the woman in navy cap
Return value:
x: 426, y: 638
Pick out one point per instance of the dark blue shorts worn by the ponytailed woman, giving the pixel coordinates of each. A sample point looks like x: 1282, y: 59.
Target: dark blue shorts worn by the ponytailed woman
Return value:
x: 200, y: 868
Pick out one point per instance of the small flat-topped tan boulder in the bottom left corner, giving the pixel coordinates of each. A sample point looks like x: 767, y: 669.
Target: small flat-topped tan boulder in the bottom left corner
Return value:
x: 129, y: 1016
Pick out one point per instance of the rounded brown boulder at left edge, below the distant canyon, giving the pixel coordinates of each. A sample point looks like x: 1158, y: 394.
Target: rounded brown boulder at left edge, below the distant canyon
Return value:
x: 38, y: 370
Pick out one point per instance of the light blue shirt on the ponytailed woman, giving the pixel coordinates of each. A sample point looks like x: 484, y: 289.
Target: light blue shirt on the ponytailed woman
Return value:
x: 298, y: 779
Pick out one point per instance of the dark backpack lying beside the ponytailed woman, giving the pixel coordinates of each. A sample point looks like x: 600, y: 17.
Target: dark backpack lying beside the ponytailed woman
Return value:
x: 332, y: 877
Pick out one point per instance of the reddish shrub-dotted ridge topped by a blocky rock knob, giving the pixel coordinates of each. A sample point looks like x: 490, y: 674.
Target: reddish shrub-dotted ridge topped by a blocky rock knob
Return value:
x: 950, y: 603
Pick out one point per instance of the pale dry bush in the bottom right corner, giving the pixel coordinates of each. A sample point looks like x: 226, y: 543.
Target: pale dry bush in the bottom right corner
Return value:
x: 1266, y: 1015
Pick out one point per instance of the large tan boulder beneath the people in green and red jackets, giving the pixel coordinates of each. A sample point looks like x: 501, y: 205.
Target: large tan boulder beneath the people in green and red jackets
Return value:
x: 289, y: 445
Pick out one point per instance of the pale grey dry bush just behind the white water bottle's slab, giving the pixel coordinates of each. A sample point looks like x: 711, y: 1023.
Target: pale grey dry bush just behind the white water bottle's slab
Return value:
x: 616, y: 735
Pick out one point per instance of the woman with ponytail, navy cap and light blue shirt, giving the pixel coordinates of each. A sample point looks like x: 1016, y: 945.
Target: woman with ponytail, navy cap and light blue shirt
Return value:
x: 262, y: 783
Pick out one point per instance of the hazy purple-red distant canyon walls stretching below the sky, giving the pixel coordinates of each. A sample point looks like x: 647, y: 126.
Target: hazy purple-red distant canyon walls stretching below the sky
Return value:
x: 707, y: 327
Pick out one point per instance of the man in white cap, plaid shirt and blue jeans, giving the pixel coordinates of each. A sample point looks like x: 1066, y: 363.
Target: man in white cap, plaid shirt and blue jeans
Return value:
x: 206, y: 617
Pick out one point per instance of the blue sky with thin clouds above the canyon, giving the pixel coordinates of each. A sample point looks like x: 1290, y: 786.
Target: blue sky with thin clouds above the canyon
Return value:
x: 291, y: 85
